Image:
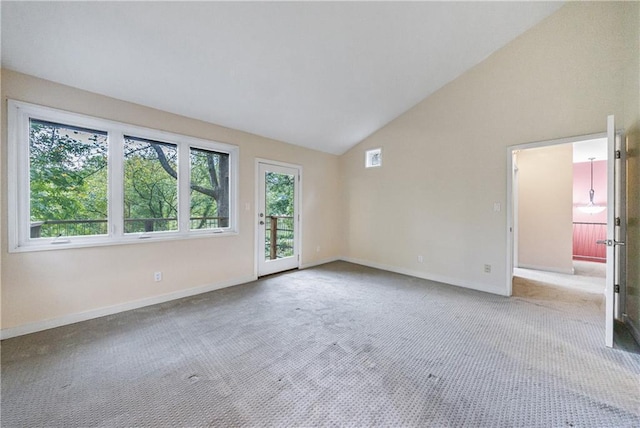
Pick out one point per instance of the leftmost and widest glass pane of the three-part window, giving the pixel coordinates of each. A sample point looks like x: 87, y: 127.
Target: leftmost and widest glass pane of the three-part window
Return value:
x: 67, y: 179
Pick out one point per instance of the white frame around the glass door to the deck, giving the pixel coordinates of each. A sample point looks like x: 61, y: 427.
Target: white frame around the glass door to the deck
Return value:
x: 257, y: 210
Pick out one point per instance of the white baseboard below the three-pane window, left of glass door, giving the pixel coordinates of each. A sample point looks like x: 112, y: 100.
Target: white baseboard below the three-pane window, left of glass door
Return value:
x: 110, y: 310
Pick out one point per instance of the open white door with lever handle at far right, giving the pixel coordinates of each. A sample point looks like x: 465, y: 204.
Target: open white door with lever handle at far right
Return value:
x: 615, y: 227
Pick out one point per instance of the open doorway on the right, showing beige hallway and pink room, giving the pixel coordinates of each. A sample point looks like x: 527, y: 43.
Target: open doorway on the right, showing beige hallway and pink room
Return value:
x: 560, y: 201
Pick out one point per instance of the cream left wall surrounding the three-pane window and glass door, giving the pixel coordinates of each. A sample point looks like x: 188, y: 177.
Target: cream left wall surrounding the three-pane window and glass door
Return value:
x: 53, y: 287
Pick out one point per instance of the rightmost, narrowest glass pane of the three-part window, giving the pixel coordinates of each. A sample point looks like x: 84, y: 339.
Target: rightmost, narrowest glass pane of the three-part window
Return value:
x: 209, y: 189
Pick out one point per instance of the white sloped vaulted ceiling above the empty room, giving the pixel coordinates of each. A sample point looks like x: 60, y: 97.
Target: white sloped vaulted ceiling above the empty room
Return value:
x: 323, y: 75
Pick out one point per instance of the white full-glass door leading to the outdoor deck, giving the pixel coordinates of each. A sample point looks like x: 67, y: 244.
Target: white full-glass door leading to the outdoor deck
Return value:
x: 278, y: 218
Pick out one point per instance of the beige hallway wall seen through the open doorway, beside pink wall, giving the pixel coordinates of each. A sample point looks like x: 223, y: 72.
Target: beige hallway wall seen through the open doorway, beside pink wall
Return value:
x: 545, y: 208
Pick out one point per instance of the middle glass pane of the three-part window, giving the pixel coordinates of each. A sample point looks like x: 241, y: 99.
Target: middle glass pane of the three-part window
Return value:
x: 150, y: 186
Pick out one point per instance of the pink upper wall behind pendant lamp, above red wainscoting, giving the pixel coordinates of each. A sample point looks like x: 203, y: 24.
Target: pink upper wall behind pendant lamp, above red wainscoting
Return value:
x: 581, y: 187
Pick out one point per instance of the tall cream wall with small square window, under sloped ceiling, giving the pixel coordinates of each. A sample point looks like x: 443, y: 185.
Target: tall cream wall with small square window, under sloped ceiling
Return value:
x: 445, y: 160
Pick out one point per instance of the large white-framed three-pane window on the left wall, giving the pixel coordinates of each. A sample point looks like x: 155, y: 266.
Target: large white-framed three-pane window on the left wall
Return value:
x: 76, y: 181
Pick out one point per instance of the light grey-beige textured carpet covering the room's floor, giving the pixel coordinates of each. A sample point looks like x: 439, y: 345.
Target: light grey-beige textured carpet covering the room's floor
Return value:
x: 336, y: 345
